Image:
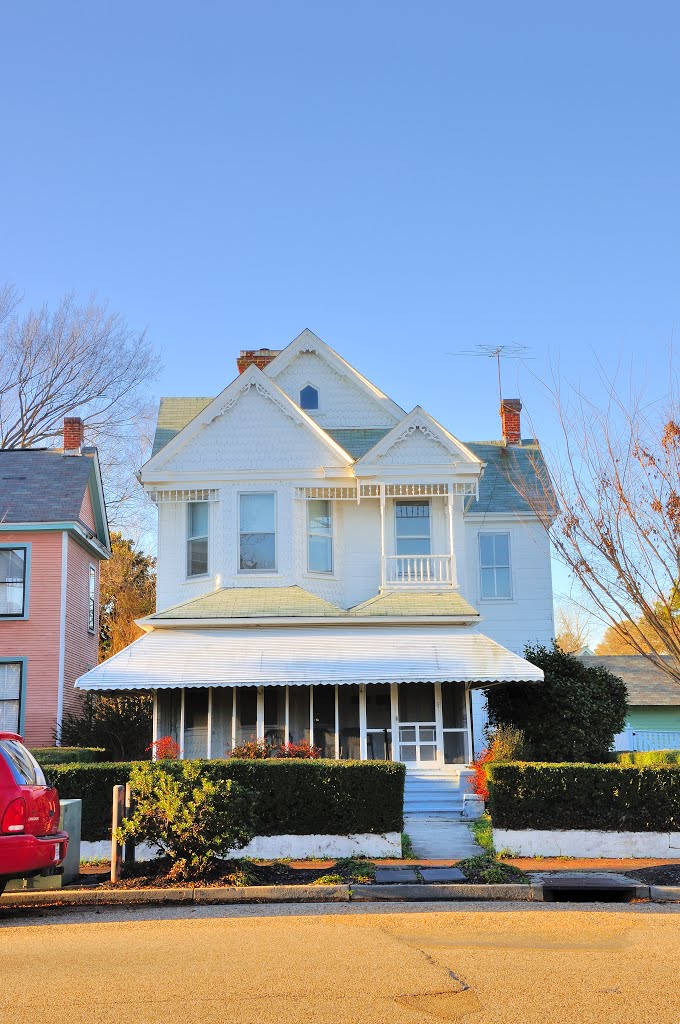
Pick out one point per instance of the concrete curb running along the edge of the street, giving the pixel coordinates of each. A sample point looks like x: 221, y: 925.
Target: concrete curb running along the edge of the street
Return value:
x: 303, y: 894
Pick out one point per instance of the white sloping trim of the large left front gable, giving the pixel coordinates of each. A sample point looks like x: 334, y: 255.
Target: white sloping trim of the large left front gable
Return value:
x: 251, y: 377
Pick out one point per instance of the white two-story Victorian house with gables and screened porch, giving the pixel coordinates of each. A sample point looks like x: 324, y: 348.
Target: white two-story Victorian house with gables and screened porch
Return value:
x: 333, y: 569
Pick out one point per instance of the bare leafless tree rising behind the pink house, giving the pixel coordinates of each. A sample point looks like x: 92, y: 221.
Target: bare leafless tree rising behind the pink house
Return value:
x: 84, y: 361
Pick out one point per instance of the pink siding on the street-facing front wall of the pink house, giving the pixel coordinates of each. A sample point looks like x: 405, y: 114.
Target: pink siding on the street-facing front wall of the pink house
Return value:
x: 37, y: 638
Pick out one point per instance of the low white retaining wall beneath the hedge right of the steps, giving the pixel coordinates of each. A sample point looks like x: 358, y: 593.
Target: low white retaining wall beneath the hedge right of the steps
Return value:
x: 585, y: 843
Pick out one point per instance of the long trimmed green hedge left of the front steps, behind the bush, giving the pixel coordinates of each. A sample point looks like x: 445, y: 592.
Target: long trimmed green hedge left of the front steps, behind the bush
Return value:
x: 297, y: 797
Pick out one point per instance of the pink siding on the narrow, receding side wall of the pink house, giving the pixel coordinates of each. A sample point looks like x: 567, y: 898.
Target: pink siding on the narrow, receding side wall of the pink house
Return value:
x: 81, y: 647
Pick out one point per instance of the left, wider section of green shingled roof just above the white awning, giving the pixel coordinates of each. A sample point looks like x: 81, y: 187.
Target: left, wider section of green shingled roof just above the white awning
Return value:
x: 251, y: 603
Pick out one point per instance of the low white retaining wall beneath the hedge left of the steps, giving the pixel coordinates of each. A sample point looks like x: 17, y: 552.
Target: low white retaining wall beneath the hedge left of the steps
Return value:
x: 272, y: 847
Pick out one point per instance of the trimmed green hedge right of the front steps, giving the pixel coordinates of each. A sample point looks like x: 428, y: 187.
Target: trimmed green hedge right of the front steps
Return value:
x: 613, y: 797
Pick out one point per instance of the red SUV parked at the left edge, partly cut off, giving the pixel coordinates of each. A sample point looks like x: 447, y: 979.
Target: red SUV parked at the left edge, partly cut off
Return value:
x: 30, y: 840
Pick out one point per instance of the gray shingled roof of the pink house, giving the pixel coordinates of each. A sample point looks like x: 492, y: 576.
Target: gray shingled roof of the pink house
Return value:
x: 44, y: 486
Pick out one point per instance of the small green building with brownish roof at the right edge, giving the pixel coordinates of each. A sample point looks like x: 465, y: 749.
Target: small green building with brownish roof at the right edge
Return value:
x: 654, y: 718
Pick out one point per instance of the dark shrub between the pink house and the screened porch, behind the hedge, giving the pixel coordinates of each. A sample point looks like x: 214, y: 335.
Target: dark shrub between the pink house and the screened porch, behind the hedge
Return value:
x: 122, y: 726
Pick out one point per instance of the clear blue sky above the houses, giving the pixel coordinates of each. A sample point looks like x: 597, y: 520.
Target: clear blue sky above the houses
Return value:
x: 405, y: 180
